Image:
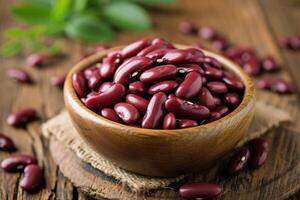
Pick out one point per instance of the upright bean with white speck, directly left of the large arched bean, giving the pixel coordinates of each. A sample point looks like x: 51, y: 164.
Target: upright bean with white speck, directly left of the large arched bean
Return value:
x: 110, y: 64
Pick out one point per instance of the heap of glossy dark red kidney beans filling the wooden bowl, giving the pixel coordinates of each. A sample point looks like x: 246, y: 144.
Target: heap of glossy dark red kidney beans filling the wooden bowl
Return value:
x: 151, y: 84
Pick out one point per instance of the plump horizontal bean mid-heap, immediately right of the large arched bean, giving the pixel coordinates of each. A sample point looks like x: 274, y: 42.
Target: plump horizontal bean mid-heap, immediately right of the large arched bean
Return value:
x: 158, y: 73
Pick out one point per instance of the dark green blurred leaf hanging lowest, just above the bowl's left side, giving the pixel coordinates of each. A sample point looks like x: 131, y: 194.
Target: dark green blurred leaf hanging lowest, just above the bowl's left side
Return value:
x: 89, y: 29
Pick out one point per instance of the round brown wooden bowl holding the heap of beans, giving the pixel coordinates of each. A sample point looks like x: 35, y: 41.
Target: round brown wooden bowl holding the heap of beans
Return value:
x: 157, y: 152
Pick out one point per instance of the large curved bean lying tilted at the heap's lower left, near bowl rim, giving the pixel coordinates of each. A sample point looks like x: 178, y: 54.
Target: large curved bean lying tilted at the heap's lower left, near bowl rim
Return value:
x: 108, y: 98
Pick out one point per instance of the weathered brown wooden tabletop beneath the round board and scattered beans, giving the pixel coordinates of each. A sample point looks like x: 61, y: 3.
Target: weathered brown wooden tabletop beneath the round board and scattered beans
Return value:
x: 254, y: 23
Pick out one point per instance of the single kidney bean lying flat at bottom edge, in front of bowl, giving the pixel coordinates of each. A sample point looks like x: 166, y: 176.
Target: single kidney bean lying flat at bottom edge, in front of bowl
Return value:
x: 200, y: 190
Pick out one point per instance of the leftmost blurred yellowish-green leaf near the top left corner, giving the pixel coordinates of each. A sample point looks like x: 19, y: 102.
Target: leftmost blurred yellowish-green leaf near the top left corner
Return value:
x: 31, y: 13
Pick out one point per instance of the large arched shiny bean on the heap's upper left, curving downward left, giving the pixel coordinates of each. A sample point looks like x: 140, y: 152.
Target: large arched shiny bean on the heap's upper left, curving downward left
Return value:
x: 133, y: 65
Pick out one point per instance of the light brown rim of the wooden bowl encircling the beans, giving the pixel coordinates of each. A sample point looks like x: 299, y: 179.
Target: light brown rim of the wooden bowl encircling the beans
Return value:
x: 249, y: 94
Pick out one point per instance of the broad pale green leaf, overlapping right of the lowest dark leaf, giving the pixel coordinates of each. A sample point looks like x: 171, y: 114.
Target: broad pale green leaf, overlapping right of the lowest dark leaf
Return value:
x: 127, y: 16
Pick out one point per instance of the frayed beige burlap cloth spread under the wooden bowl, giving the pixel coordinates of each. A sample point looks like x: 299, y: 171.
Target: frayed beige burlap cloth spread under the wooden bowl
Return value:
x: 60, y: 127
